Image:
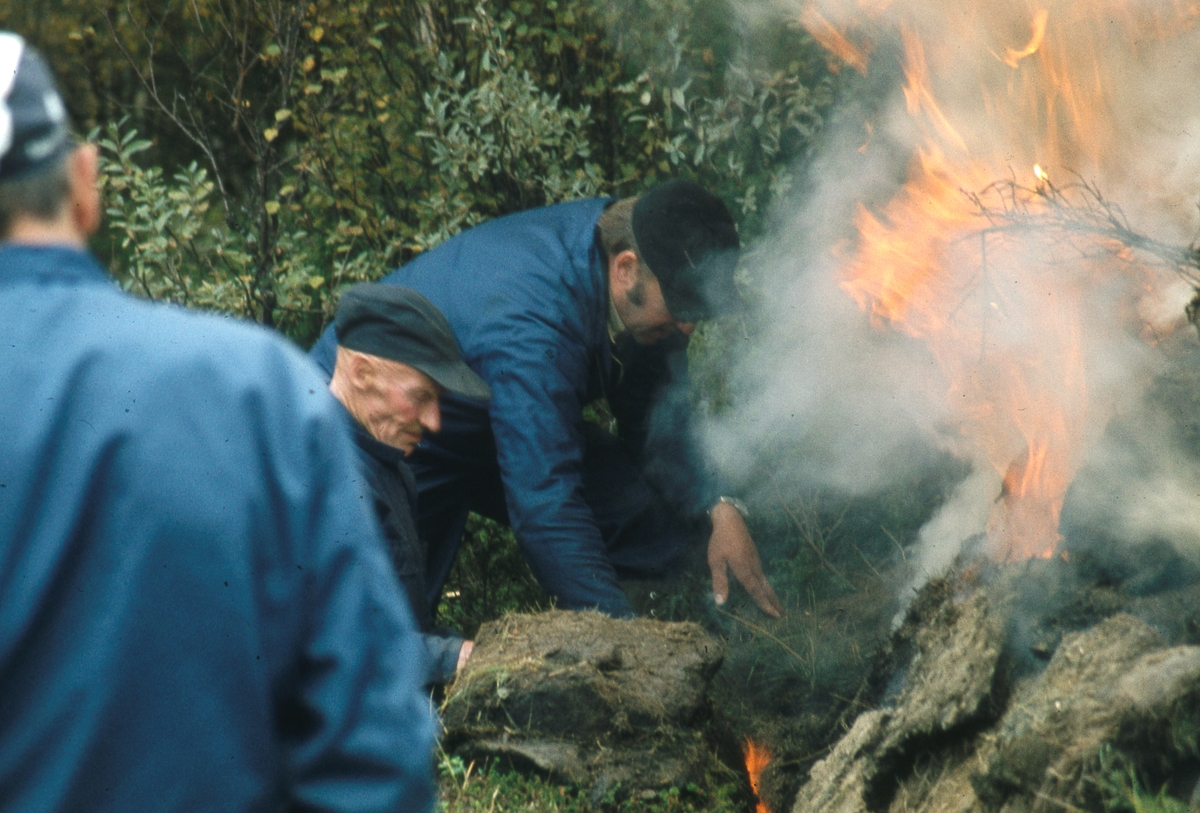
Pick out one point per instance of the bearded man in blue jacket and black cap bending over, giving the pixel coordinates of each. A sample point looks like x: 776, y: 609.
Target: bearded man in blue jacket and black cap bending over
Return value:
x: 555, y: 309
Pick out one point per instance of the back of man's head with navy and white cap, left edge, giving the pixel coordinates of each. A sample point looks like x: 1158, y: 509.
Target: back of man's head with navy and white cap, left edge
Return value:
x: 35, y: 138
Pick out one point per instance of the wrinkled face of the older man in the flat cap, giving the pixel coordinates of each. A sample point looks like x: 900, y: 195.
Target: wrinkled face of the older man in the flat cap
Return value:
x: 399, y: 405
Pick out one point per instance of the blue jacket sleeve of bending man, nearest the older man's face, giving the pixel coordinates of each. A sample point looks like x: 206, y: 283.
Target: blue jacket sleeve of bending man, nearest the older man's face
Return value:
x: 535, y: 371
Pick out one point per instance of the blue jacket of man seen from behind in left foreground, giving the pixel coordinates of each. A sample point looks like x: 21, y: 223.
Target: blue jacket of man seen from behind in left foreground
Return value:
x: 196, y: 611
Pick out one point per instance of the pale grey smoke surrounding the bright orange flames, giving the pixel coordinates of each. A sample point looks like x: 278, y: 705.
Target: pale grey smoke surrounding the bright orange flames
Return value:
x: 832, y: 402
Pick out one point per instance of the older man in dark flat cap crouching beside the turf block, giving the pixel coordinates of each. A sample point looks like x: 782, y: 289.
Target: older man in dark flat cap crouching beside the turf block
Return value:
x: 395, y: 358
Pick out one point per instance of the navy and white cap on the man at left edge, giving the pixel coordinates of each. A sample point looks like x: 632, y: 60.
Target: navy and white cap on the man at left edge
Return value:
x: 34, y: 128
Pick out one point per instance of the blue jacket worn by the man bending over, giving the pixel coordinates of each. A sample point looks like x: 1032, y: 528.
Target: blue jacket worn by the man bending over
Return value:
x: 527, y: 298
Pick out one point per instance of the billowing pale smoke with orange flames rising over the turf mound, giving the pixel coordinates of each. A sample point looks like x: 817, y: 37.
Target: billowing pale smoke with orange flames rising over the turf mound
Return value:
x: 1023, y: 345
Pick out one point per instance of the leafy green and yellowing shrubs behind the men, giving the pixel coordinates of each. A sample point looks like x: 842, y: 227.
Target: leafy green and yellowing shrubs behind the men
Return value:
x: 349, y: 137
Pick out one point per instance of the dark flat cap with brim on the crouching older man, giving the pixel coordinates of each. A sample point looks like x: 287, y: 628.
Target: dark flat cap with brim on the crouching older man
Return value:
x: 398, y: 323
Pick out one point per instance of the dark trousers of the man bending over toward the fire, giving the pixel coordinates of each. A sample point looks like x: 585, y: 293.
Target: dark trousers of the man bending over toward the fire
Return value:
x: 644, y: 535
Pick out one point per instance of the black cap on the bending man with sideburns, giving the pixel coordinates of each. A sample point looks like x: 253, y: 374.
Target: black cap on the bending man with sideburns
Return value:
x: 688, y: 240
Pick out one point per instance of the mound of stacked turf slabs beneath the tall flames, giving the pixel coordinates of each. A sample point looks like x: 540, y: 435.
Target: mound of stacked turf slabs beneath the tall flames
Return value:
x: 973, y: 731
